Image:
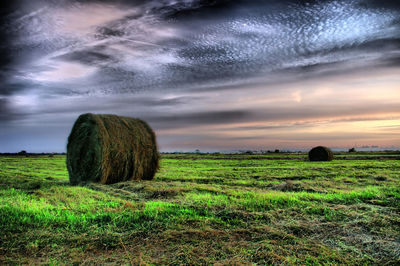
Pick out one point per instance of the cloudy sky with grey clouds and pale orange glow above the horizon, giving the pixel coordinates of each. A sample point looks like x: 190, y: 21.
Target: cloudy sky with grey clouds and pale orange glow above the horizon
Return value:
x: 213, y: 75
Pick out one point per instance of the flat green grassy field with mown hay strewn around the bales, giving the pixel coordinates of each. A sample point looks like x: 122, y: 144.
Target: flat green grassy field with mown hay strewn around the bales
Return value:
x: 206, y: 209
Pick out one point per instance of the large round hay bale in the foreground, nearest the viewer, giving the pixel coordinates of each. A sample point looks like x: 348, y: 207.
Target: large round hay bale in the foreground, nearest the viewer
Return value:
x: 110, y: 149
